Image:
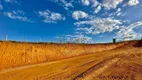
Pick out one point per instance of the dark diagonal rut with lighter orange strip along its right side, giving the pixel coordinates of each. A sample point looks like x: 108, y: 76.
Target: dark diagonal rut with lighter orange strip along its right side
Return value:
x: 97, y: 69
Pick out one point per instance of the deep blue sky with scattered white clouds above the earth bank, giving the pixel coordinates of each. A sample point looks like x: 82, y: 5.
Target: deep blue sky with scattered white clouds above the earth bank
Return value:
x: 71, y: 20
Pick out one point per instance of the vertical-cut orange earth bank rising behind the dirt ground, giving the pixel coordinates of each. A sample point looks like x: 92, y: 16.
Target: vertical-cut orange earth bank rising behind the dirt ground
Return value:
x: 15, y: 54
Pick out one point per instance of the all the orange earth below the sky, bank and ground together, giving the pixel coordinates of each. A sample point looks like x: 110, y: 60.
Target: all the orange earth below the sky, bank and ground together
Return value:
x: 44, y: 61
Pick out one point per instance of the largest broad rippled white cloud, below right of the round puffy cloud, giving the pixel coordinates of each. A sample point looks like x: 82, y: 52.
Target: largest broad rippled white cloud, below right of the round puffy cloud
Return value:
x: 99, y: 25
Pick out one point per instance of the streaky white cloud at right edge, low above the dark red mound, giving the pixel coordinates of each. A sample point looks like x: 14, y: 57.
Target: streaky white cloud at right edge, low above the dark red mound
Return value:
x: 127, y: 33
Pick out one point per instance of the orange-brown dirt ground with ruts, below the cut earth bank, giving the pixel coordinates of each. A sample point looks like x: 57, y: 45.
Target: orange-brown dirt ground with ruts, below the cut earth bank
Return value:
x: 123, y: 63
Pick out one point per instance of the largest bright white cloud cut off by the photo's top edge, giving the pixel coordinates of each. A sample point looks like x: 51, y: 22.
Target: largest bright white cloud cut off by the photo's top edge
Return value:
x: 111, y: 4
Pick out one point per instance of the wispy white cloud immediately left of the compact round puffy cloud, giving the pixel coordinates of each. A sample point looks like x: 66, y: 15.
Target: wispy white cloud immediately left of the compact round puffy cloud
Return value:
x: 51, y: 17
